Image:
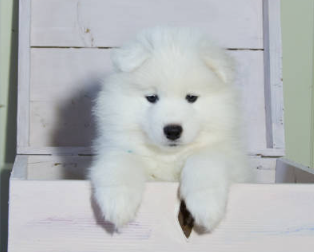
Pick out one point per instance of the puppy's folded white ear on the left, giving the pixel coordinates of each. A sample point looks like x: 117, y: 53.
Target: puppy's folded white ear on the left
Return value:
x: 129, y: 57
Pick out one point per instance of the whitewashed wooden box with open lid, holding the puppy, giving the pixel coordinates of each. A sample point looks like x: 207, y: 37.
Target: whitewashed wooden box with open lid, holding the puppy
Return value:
x: 64, y: 48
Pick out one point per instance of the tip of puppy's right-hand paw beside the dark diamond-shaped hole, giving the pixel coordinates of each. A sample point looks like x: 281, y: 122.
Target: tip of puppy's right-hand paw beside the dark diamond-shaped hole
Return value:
x: 207, y: 209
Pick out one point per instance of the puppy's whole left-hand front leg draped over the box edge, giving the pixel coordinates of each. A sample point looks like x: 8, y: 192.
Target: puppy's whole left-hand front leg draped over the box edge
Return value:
x: 118, y: 182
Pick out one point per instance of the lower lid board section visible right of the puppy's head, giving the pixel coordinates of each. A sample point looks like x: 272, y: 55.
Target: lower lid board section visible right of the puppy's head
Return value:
x: 250, y: 81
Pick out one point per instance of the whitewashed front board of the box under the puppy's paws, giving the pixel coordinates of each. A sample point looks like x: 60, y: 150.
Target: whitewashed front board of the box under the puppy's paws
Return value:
x: 68, y: 221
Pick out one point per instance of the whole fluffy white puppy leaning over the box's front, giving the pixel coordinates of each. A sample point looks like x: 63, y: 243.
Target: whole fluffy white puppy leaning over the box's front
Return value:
x: 169, y: 112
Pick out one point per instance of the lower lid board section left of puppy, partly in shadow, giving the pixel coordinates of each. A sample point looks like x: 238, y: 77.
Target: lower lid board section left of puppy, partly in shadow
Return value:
x: 64, y: 84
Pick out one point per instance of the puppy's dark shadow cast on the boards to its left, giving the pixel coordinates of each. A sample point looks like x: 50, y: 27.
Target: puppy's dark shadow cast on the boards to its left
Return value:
x: 76, y: 127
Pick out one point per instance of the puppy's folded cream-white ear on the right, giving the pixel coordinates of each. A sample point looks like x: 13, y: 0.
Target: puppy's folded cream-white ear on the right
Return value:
x: 217, y: 59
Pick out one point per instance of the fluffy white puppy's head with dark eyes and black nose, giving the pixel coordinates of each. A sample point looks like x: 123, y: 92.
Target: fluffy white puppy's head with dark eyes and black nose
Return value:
x: 179, y: 84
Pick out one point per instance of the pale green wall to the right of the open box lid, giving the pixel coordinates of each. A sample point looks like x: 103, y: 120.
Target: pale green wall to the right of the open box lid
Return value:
x: 297, y: 37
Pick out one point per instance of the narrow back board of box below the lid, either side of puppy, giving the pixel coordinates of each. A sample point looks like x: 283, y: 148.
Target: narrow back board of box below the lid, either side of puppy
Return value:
x: 42, y: 167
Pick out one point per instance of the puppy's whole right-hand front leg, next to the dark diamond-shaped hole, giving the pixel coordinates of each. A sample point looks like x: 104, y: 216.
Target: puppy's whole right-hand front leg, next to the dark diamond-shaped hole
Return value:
x: 204, y: 188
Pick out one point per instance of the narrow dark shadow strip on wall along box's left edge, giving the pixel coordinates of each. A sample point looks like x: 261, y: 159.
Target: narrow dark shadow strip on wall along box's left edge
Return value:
x: 10, y: 136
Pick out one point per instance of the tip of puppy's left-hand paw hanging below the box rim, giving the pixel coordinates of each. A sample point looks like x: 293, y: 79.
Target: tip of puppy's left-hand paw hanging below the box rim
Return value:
x: 119, y: 204
